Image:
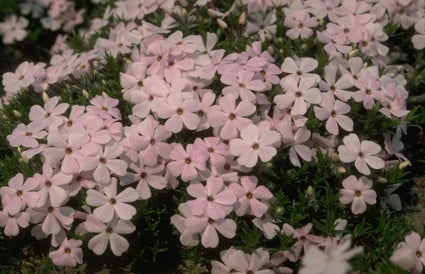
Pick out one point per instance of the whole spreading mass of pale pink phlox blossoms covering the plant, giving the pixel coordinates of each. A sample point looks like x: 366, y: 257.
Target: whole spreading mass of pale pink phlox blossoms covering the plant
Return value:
x: 240, y: 110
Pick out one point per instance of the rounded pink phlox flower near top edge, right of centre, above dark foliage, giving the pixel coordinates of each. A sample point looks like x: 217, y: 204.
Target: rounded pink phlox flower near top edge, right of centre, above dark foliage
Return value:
x: 299, y: 23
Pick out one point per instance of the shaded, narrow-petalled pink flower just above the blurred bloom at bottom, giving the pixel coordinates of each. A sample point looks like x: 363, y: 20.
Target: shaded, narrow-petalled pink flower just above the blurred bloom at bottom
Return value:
x: 305, y: 240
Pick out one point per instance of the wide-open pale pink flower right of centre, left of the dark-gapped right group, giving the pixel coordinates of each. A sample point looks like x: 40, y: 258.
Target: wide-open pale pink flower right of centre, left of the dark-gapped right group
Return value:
x: 298, y: 97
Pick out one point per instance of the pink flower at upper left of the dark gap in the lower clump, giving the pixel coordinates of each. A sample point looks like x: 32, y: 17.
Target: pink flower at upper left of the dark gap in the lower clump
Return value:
x: 145, y: 176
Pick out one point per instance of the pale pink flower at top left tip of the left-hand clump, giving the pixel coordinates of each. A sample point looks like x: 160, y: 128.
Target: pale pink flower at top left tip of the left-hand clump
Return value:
x: 50, y: 115
